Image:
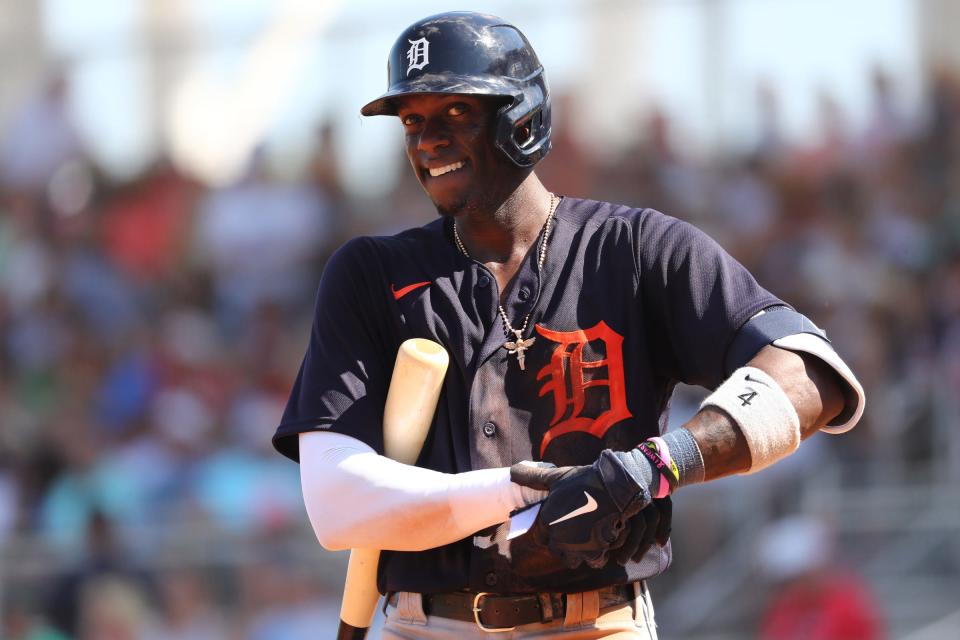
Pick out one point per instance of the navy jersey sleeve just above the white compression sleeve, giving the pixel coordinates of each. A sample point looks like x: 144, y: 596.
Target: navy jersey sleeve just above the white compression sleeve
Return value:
x: 343, y: 379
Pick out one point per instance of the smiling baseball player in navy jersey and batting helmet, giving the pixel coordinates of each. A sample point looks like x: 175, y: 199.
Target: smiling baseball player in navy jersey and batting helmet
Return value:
x: 568, y: 323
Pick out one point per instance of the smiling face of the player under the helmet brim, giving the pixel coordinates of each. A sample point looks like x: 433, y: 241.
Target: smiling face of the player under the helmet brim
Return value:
x: 450, y: 144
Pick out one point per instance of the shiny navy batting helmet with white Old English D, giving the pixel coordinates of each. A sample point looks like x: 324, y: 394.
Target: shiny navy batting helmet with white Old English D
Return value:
x: 473, y: 53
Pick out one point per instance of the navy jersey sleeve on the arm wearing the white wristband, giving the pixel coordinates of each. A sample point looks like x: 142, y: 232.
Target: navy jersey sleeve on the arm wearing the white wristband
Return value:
x: 695, y: 298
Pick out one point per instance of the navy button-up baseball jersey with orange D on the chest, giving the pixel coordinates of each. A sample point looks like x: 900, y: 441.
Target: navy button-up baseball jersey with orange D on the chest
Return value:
x: 628, y: 303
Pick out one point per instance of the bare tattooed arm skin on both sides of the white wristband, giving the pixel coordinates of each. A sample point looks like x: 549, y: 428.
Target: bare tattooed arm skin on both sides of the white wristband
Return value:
x: 810, y: 385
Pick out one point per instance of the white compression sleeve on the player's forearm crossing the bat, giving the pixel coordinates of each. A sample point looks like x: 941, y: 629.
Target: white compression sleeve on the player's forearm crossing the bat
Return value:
x: 357, y: 498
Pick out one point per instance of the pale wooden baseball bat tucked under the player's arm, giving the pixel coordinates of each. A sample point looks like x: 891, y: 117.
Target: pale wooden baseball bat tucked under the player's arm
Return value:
x: 411, y: 402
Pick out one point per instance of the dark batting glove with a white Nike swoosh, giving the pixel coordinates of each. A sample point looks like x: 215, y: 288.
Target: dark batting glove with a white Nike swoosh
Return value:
x: 587, y: 509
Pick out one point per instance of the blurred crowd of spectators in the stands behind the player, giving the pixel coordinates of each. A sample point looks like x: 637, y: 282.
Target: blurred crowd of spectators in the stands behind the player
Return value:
x: 150, y: 331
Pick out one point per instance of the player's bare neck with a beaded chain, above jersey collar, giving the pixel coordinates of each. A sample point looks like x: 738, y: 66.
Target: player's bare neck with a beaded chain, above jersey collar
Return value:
x: 504, y: 235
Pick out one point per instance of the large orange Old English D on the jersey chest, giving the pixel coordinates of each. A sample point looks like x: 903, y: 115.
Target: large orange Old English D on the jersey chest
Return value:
x: 568, y: 376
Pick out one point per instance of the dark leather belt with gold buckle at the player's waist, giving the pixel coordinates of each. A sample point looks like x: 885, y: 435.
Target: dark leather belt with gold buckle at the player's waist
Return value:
x: 495, y: 612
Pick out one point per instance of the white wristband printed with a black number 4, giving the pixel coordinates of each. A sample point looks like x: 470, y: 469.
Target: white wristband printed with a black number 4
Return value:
x: 762, y: 411
